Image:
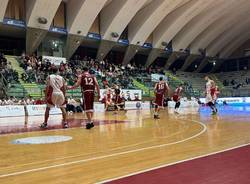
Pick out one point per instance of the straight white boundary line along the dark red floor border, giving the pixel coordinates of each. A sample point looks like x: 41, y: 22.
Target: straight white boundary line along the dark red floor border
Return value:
x: 173, y: 163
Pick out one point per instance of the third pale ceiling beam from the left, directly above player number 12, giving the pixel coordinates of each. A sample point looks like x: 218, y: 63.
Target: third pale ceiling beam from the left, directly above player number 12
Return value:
x: 81, y: 14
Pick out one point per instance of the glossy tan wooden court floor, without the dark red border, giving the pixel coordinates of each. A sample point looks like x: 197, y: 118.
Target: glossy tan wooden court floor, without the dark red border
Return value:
x: 122, y: 144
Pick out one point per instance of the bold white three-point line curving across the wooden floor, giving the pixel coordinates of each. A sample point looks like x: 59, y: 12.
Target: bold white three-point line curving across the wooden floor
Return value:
x: 109, y: 155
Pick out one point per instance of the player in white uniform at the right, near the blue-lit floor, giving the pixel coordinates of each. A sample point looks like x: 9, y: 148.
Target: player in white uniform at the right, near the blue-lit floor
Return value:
x: 209, y: 93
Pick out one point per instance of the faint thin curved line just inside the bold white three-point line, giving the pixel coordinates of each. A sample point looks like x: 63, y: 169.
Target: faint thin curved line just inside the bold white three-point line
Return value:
x: 80, y: 155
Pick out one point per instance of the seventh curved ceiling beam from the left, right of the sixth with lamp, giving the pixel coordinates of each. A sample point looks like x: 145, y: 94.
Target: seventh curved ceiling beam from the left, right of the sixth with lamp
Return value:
x: 198, y: 24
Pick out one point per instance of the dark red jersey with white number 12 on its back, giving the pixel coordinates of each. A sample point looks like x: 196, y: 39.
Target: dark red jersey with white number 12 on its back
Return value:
x: 88, y: 82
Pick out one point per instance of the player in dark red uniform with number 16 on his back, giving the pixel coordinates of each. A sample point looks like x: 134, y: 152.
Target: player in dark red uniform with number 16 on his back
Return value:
x: 161, y: 88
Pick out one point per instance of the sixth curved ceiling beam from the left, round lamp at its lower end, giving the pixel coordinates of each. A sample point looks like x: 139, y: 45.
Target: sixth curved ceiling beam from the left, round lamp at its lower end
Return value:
x: 175, y: 21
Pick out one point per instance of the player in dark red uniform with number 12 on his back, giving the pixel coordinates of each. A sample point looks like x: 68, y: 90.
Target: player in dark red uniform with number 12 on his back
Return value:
x: 88, y: 85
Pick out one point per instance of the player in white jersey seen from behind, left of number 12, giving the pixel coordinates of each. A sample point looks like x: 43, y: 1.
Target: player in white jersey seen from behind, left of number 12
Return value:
x: 55, y: 96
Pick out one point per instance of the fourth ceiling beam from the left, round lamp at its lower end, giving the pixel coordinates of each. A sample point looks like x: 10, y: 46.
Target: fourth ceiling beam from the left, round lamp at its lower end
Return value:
x: 116, y: 16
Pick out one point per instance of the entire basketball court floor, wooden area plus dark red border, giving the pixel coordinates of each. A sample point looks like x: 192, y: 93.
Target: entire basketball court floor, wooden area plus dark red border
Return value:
x: 125, y: 144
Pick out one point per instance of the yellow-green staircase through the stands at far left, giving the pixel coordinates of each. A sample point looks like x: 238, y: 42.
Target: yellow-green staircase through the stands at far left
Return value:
x: 32, y: 89
